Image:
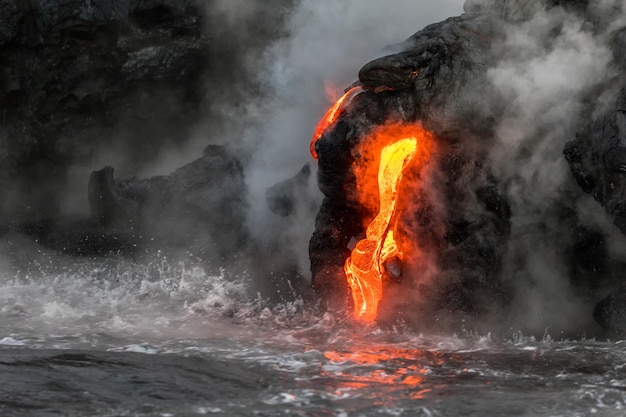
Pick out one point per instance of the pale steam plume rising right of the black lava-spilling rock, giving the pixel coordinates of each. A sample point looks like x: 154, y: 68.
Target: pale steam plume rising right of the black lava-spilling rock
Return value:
x: 548, y: 65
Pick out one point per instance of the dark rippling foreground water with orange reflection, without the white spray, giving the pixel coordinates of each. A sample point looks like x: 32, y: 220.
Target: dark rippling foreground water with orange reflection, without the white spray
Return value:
x: 316, y: 373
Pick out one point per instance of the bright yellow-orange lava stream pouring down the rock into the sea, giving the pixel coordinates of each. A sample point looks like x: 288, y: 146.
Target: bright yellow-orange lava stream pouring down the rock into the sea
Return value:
x: 364, y: 267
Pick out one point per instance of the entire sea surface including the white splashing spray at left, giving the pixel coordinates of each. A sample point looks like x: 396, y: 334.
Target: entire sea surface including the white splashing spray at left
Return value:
x: 173, y: 340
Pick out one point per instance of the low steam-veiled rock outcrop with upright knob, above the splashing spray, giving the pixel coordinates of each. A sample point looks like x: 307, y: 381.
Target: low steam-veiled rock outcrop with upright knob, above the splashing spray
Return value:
x: 199, y: 206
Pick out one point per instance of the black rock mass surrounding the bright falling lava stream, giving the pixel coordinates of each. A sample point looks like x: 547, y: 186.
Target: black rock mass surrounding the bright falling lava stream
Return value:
x: 425, y: 83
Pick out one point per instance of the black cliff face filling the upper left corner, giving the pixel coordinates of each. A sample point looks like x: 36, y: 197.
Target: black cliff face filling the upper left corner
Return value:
x: 77, y: 77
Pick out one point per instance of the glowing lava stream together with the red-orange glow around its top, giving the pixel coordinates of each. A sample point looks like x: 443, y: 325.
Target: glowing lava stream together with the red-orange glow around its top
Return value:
x: 402, y: 145
